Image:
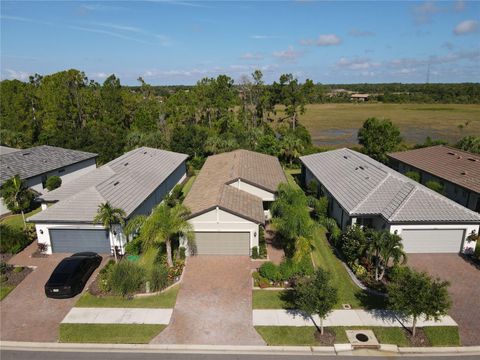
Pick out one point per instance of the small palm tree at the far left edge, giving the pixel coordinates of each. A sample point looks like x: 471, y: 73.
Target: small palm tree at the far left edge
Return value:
x: 17, y: 196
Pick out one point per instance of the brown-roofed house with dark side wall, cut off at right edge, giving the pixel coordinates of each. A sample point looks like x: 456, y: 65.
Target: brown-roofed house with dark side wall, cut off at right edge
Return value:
x: 458, y: 171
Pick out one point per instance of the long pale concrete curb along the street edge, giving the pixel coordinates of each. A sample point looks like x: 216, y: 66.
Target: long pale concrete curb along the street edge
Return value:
x: 337, y: 349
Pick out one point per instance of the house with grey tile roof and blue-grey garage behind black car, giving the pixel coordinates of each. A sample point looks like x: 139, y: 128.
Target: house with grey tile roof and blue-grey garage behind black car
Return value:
x: 135, y: 182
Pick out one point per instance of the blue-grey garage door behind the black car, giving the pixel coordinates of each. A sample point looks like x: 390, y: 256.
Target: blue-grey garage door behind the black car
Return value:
x: 77, y: 240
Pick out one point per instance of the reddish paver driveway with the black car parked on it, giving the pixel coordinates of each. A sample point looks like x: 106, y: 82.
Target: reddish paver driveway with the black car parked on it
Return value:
x: 26, y: 313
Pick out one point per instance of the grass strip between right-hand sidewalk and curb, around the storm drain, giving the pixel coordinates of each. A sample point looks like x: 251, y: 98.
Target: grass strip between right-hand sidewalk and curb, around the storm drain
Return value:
x: 305, y: 335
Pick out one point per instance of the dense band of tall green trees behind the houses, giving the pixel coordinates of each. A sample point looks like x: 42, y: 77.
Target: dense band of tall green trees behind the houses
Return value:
x: 69, y: 110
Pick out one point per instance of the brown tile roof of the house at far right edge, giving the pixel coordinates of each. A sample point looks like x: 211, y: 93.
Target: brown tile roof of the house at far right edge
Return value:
x: 451, y: 164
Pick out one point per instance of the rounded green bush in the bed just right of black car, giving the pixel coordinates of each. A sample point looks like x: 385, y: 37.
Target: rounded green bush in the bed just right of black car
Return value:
x: 125, y: 278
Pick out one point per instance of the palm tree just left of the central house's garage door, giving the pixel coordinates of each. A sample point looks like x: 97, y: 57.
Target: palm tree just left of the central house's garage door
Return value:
x: 163, y: 224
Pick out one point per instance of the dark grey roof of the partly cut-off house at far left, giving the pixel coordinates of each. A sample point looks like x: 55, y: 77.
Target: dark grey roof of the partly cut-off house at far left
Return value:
x: 38, y: 160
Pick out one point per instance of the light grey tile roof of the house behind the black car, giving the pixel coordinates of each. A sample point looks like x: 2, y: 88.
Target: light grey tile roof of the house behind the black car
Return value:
x: 125, y: 182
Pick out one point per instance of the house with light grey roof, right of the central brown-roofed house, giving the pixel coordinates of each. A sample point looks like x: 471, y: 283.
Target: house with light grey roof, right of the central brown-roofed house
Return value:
x: 365, y: 192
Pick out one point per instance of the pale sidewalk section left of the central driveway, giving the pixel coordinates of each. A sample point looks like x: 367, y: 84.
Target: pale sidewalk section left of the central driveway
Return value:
x: 118, y: 316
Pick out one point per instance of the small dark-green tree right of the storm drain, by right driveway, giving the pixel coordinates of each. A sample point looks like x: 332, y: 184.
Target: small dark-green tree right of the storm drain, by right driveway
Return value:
x: 415, y: 294
